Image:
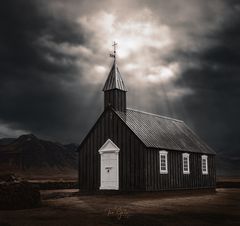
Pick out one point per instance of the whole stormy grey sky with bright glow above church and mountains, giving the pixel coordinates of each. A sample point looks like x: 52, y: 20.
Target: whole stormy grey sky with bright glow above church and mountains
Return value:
x: 179, y: 58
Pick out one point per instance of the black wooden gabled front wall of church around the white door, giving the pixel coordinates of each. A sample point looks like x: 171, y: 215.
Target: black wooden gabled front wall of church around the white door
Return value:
x: 131, y: 155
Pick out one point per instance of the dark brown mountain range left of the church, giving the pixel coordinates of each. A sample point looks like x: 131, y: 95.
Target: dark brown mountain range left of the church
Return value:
x: 29, y: 153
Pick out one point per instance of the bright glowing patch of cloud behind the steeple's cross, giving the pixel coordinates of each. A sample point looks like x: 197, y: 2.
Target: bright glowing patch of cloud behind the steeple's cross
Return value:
x: 135, y: 38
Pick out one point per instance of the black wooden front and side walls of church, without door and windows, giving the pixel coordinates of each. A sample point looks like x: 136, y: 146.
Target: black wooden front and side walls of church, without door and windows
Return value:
x: 138, y: 166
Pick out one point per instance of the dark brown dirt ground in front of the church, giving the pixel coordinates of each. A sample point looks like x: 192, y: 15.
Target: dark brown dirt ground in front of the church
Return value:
x: 66, y: 208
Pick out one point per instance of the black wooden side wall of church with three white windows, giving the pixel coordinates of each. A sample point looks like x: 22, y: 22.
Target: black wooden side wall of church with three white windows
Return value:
x: 175, y: 179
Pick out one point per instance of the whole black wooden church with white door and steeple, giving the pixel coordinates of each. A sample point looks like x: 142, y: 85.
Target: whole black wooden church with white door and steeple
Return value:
x: 132, y: 150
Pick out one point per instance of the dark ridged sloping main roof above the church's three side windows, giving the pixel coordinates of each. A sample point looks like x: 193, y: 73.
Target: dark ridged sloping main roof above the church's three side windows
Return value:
x: 161, y: 132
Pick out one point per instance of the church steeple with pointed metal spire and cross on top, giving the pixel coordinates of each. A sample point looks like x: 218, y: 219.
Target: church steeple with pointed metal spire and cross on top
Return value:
x: 114, y: 88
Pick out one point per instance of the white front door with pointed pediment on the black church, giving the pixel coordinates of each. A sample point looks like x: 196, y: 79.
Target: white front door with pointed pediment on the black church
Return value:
x: 109, y: 166
